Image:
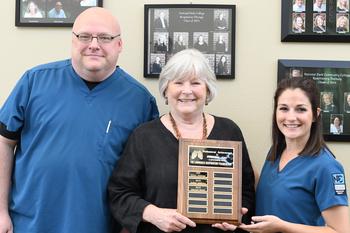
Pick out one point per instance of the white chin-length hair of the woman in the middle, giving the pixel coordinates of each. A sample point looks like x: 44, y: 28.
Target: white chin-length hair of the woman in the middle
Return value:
x: 186, y: 64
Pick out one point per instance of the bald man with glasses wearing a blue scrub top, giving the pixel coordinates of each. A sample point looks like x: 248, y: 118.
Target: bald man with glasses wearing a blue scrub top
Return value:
x: 62, y: 130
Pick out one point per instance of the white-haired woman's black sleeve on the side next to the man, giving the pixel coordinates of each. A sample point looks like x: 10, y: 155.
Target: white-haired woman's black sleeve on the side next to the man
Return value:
x: 125, y: 186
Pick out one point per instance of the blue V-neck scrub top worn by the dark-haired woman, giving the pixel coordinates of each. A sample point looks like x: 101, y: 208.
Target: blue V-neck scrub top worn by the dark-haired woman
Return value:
x: 304, y: 188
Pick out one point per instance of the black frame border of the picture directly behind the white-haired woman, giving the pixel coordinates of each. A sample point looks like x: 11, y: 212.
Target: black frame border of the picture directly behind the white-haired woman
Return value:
x: 147, y: 32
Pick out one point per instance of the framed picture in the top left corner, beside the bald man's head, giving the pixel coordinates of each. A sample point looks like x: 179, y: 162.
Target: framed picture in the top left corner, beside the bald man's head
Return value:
x: 50, y: 13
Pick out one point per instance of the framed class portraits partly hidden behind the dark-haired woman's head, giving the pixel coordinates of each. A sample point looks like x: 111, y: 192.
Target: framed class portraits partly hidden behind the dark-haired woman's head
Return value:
x: 333, y: 80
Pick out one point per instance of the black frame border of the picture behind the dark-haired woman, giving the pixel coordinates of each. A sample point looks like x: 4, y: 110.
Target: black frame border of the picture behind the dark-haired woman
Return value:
x: 284, y: 64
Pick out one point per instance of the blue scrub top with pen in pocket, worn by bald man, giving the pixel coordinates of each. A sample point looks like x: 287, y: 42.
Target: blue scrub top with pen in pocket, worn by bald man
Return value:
x: 71, y: 138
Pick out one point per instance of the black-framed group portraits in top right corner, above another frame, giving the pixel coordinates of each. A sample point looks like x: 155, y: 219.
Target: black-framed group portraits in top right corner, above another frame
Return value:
x: 315, y: 21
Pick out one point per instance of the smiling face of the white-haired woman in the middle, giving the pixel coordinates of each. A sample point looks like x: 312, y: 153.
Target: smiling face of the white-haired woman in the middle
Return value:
x: 187, y: 96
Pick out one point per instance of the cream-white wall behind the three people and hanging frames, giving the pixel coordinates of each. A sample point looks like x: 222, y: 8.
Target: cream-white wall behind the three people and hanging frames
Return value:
x: 247, y: 99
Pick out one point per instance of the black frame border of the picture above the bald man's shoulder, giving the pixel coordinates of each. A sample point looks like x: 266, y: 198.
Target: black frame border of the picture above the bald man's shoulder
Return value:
x: 45, y: 22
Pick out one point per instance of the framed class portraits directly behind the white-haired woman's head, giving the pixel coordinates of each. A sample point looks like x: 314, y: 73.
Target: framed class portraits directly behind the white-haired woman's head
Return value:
x: 172, y: 28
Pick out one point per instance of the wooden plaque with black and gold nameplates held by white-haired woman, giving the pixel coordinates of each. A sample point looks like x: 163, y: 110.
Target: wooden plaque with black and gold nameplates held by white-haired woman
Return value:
x: 209, y: 181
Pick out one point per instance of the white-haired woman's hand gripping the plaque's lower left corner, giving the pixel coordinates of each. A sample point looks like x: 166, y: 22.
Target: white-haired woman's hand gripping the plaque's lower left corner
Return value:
x: 167, y: 220
